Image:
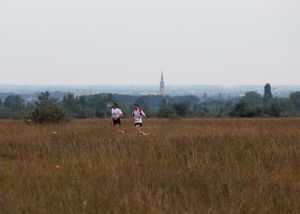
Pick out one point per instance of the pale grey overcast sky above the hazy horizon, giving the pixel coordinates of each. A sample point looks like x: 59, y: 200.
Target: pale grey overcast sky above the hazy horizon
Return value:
x: 212, y: 42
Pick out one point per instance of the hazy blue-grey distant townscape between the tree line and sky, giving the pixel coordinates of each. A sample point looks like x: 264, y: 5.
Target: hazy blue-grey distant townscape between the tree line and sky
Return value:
x: 31, y: 92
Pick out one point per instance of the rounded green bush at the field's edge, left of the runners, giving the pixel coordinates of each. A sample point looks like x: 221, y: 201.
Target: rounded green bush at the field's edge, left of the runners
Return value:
x: 47, y: 110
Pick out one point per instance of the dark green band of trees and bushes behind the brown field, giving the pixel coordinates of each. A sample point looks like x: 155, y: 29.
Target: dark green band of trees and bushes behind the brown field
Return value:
x: 48, y: 109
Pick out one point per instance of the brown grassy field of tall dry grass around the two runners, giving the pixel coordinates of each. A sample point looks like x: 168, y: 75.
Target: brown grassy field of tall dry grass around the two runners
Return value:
x: 184, y: 166
